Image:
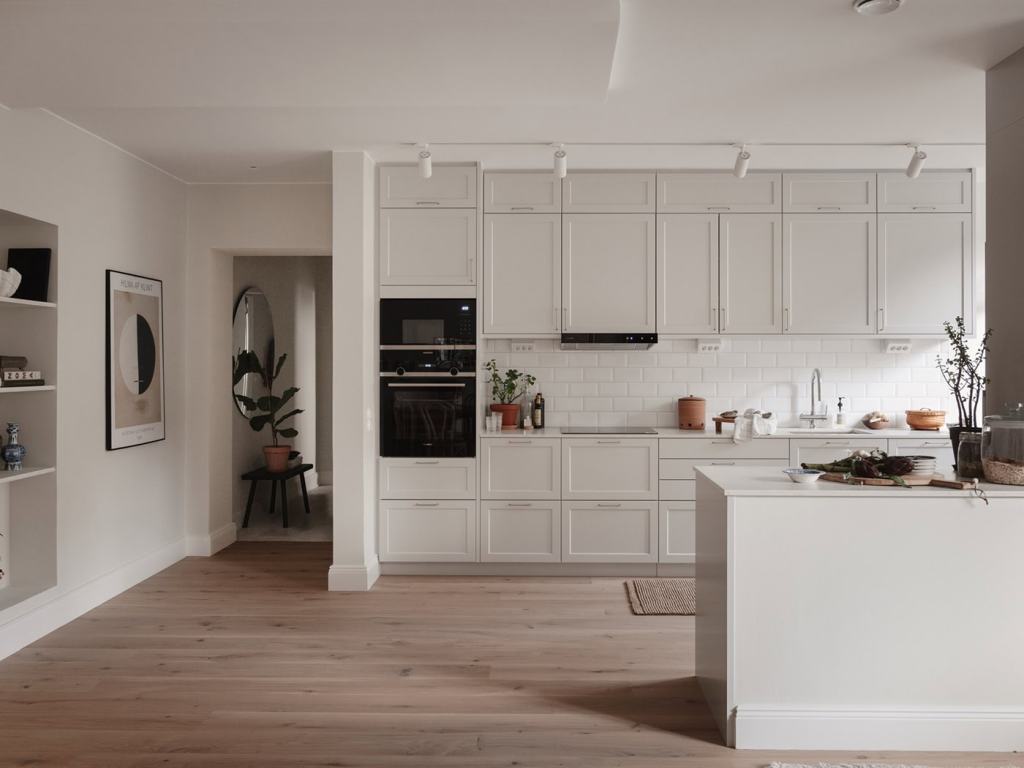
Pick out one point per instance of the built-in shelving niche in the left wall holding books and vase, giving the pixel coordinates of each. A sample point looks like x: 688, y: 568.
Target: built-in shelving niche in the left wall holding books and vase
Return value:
x: 28, y: 499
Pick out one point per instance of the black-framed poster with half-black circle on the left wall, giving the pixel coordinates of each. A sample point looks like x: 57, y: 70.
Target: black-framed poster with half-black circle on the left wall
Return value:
x: 136, y: 413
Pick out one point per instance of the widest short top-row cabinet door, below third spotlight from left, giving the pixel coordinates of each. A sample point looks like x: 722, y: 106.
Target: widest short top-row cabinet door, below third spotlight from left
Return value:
x: 707, y: 193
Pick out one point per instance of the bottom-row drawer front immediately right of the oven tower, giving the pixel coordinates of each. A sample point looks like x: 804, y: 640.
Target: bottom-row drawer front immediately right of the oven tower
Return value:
x: 521, y: 532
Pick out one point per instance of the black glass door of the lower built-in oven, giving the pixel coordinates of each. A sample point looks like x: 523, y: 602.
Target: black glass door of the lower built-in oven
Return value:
x: 429, y: 417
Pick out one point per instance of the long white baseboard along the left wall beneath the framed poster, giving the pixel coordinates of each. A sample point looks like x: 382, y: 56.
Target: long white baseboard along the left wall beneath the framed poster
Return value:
x: 67, y: 607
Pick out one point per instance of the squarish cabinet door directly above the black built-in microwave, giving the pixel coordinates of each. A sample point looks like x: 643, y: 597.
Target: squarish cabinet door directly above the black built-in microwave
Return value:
x: 429, y: 248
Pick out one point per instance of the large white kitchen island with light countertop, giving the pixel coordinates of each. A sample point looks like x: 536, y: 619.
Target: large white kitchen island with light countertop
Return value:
x: 833, y: 617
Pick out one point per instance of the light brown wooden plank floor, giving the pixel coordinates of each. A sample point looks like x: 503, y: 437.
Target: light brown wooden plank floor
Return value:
x: 245, y: 660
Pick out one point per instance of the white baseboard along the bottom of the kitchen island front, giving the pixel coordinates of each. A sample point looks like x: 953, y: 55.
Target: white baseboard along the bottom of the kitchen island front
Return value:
x: 980, y: 730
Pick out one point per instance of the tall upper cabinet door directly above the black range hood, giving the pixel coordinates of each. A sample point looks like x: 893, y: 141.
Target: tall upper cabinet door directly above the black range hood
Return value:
x: 609, y: 273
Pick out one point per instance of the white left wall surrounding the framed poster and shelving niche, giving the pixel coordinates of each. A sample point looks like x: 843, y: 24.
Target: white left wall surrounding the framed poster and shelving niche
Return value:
x: 119, y: 514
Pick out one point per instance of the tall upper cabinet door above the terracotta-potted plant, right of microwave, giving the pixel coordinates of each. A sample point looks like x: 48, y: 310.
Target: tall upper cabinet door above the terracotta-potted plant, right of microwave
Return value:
x: 523, y: 269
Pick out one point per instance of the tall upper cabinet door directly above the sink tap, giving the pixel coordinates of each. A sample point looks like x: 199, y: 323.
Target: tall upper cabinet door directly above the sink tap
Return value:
x: 830, y: 269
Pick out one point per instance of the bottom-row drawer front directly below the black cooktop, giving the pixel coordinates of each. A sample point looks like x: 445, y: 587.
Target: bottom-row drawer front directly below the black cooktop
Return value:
x: 613, y: 532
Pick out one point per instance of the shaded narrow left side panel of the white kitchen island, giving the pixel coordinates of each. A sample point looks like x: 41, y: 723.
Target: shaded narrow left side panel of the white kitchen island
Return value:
x: 713, y: 603
